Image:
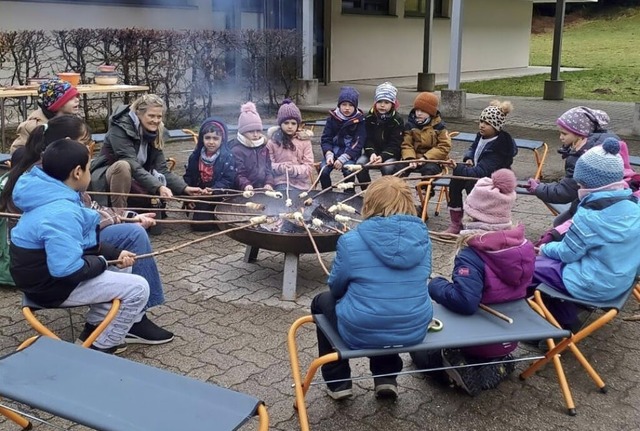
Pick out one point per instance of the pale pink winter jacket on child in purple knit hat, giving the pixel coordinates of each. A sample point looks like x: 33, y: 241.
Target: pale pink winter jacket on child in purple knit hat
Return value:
x: 298, y: 161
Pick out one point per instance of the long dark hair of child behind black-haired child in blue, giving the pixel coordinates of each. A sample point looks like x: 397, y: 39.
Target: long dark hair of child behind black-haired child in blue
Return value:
x: 62, y: 126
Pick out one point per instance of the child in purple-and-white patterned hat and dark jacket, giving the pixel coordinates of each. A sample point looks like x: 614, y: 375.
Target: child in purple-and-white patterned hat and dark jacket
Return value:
x: 581, y: 128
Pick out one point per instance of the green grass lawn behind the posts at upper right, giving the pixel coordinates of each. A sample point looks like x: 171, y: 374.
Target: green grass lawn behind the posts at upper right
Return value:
x: 607, y: 46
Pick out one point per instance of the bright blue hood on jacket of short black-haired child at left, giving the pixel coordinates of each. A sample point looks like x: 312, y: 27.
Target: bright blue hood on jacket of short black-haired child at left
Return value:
x: 35, y: 189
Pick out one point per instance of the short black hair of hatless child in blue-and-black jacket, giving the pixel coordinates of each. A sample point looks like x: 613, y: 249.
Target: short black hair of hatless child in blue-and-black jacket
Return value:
x: 62, y: 157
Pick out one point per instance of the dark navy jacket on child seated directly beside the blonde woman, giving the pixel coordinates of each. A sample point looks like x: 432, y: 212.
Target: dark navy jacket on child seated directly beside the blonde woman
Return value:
x: 224, y: 168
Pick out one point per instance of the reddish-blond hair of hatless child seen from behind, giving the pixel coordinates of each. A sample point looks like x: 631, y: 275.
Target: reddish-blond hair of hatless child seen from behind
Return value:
x: 388, y: 196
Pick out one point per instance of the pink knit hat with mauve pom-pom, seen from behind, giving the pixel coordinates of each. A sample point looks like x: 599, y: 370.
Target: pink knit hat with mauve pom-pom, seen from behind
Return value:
x: 491, y: 200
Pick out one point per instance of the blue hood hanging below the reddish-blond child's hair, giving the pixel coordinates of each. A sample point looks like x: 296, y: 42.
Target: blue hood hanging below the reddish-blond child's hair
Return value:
x: 400, y: 241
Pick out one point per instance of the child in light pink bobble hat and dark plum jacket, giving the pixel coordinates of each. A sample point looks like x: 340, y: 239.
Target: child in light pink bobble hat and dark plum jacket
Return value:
x: 253, y: 165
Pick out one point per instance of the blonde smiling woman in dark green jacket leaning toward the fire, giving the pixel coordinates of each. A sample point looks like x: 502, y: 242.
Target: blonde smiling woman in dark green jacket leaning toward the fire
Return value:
x: 132, y: 157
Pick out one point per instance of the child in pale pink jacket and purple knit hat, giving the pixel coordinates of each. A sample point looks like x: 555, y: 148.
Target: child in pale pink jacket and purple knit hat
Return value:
x: 290, y: 150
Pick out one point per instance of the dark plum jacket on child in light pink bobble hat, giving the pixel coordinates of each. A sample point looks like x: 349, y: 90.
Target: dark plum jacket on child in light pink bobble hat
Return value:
x: 253, y: 165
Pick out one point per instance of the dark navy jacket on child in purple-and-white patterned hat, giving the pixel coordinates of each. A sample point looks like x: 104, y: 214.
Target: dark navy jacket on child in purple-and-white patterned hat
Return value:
x: 566, y: 190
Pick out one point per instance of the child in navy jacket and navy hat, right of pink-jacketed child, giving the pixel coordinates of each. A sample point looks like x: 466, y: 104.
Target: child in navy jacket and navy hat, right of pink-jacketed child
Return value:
x: 343, y: 136
